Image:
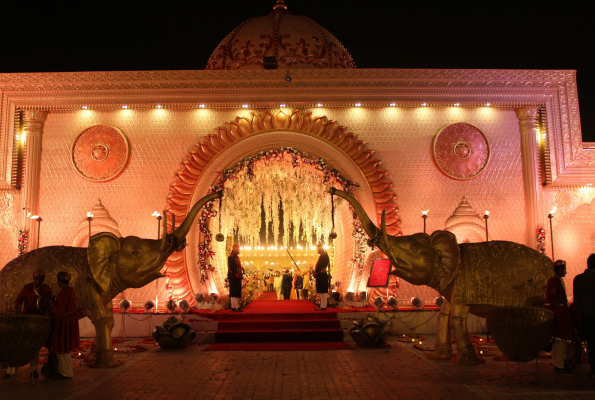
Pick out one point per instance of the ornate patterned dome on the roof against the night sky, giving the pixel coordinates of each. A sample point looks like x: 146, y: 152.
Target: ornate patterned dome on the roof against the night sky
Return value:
x: 296, y: 42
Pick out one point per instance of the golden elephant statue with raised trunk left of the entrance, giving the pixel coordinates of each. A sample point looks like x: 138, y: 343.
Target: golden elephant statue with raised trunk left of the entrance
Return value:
x: 99, y: 273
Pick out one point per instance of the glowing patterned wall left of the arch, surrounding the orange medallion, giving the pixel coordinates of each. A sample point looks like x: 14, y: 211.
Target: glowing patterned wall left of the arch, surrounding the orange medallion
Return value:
x: 158, y: 139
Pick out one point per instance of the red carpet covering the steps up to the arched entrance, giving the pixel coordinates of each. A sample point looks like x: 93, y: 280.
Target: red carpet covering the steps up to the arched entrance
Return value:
x: 280, y: 325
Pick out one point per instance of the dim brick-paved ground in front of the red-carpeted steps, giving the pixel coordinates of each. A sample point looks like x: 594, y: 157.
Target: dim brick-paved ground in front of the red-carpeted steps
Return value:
x: 398, y: 372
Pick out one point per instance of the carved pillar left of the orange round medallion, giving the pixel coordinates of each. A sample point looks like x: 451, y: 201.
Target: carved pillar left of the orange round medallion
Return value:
x: 33, y: 129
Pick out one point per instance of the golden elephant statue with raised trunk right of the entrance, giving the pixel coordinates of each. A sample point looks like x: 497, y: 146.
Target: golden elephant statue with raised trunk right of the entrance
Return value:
x: 473, y: 277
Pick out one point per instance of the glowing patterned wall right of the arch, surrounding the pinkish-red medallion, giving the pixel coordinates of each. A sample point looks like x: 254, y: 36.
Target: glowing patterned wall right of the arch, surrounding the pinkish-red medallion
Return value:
x: 403, y: 137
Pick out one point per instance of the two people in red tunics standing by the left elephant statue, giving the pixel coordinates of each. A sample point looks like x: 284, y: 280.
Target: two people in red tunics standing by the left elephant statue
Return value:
x: 36, y: 299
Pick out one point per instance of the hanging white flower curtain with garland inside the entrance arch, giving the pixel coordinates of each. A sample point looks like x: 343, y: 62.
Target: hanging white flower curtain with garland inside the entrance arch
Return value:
x: 277, y: 177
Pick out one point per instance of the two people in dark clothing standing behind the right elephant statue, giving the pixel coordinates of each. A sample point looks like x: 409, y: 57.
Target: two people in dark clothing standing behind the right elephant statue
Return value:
x: 575, y: 323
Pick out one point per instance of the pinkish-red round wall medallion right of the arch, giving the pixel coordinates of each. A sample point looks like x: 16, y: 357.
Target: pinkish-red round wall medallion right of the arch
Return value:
x: 461, y: 151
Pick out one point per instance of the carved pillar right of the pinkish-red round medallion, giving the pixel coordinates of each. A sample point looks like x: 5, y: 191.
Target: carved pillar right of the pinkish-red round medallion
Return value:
x: 529, y: 122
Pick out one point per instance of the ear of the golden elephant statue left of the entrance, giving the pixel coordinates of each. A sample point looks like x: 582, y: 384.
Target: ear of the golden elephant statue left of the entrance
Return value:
x: 101, y: 254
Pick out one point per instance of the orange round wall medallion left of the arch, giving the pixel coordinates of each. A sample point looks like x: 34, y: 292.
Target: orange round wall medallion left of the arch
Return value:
x: 100, y: 153
